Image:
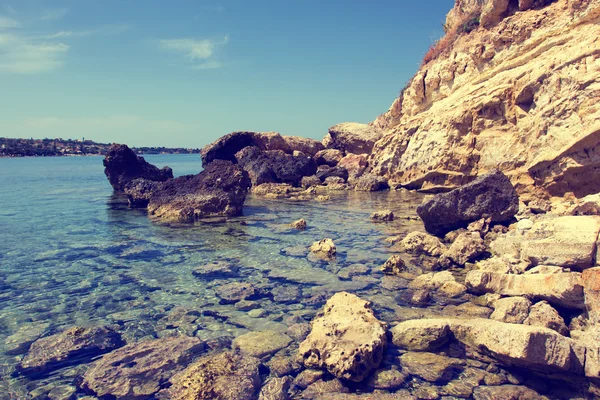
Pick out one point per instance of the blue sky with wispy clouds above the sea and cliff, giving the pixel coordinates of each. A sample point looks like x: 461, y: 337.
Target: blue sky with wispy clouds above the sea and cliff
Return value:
x: 182, y: 73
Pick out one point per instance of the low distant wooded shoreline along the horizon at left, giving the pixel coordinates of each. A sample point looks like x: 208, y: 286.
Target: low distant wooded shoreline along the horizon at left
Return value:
x: 71, y: 147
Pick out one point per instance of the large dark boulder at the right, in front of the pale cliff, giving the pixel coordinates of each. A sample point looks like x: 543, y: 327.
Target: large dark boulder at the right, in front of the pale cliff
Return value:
x: 491, y: 195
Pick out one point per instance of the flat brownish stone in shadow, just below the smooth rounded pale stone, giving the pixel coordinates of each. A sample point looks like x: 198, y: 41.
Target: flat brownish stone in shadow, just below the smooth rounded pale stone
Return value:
x: 430, y: 367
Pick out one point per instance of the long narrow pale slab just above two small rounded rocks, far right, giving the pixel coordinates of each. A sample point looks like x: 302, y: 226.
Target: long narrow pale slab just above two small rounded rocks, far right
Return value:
x: 564, y: 290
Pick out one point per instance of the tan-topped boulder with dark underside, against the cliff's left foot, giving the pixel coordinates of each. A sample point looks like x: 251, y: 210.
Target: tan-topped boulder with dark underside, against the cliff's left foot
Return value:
x: 351, y: 137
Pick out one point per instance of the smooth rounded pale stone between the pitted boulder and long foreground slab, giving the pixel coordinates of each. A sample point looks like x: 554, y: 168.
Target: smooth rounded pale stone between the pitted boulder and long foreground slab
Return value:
x: 421, y: 334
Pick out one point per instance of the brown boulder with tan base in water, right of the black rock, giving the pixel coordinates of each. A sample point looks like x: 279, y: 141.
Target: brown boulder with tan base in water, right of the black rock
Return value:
x: 219, y: 190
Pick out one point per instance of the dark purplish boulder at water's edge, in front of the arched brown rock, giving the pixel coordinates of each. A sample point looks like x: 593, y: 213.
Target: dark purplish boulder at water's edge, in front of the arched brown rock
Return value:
x: 275, y: 166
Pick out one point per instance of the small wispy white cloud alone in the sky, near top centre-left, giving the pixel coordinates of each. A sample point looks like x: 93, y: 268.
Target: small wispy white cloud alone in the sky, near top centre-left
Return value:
x: 199, y: 52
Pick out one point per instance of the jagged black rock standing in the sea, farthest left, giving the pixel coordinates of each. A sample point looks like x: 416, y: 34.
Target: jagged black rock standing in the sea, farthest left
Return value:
x: 122, y: 165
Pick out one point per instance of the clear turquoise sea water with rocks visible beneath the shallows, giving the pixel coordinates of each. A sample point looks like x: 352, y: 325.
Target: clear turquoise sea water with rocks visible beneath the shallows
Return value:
x: 72, y: 253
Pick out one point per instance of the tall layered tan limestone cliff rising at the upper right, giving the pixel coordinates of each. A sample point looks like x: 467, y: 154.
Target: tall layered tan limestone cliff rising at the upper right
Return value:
x: 514, y: 85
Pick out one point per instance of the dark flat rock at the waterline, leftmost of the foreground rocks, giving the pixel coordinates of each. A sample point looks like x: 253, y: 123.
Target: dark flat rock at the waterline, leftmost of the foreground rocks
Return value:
x: 72, y: 346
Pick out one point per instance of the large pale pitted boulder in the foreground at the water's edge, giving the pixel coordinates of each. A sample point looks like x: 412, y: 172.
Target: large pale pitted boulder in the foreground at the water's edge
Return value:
x: 346, y: 339
